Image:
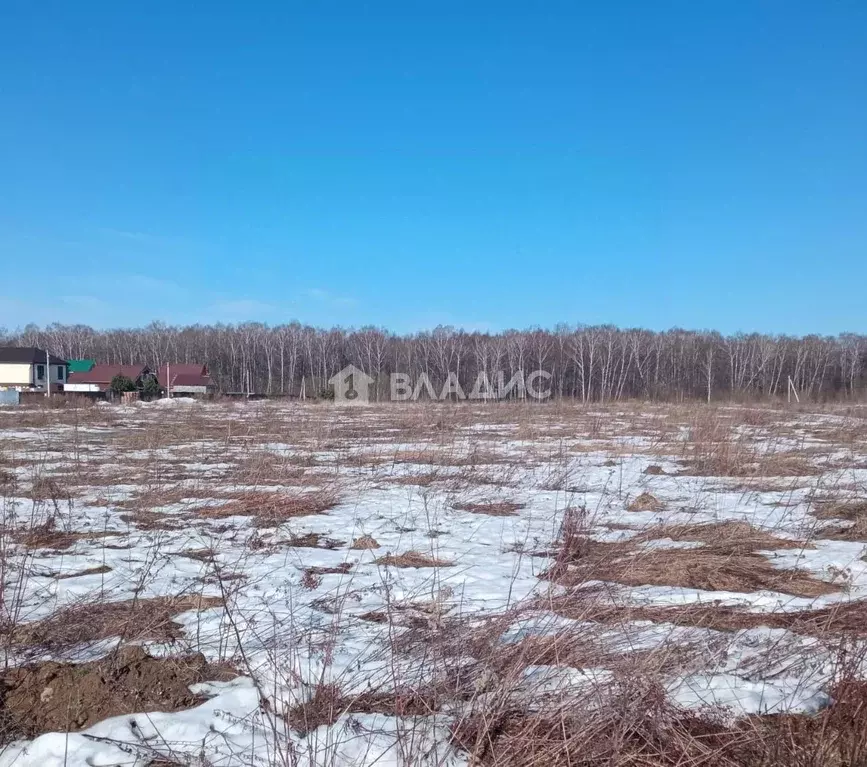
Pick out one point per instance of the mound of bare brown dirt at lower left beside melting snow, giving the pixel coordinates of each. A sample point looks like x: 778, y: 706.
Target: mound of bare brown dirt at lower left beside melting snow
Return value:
x: 66, y: 697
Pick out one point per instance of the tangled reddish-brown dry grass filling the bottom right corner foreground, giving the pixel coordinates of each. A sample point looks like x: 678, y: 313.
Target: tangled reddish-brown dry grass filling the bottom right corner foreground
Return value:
x: 633, y: 726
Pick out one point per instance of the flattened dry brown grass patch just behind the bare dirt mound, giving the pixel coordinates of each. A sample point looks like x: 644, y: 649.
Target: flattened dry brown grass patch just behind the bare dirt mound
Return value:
x: 133, y: 620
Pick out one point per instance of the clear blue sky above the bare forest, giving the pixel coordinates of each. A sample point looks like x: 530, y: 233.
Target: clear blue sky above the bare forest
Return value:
x: 491, y: 165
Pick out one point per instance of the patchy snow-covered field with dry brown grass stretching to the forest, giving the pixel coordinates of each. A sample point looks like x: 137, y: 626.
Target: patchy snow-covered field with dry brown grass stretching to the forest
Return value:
x: 403, y: 584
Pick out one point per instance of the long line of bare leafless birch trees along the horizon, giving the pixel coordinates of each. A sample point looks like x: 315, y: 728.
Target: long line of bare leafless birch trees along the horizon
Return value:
x: 587, y: 363
